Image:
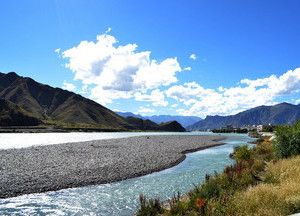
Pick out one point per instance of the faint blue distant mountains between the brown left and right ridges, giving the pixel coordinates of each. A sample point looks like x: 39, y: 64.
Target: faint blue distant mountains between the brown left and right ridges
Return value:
x: 183, y: 120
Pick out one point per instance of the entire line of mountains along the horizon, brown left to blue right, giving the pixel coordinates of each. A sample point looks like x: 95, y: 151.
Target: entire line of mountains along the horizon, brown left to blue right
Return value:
x: 25, y: 102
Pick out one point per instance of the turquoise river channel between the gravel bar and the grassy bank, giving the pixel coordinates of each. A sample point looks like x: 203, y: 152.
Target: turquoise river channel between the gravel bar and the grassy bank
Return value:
x: 121, y: 198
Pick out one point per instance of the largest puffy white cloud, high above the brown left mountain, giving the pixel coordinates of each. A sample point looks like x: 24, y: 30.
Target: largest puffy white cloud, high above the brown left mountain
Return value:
x: 118, y: 71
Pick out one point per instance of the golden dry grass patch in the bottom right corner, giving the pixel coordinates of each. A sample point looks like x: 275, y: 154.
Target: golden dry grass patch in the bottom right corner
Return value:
x: 281, y: 196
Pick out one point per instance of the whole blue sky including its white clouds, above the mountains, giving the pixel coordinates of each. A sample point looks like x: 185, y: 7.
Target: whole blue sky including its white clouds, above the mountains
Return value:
x: 243, y: 49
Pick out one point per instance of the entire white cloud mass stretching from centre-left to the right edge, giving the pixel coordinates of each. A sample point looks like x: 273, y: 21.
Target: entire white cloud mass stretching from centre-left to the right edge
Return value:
x: 110, y: 71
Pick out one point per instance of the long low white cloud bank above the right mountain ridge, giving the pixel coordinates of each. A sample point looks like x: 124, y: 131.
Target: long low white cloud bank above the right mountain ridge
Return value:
x: 224, y: 101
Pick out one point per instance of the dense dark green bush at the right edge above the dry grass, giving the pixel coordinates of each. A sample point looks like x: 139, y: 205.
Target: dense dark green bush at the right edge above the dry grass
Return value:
x: 287, y: 142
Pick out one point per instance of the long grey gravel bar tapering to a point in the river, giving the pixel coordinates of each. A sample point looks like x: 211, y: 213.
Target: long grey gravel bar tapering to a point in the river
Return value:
x: 54, y: 167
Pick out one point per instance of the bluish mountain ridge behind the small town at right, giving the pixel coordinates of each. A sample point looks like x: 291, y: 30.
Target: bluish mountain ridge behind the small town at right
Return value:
x: 283, y: 113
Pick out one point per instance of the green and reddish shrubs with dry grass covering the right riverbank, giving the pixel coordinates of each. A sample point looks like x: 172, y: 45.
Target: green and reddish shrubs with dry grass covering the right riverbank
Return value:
x: 264, y: 180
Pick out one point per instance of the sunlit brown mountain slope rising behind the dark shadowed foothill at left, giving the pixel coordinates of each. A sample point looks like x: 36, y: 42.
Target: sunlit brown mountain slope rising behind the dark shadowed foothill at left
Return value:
x: 56, y: 105
